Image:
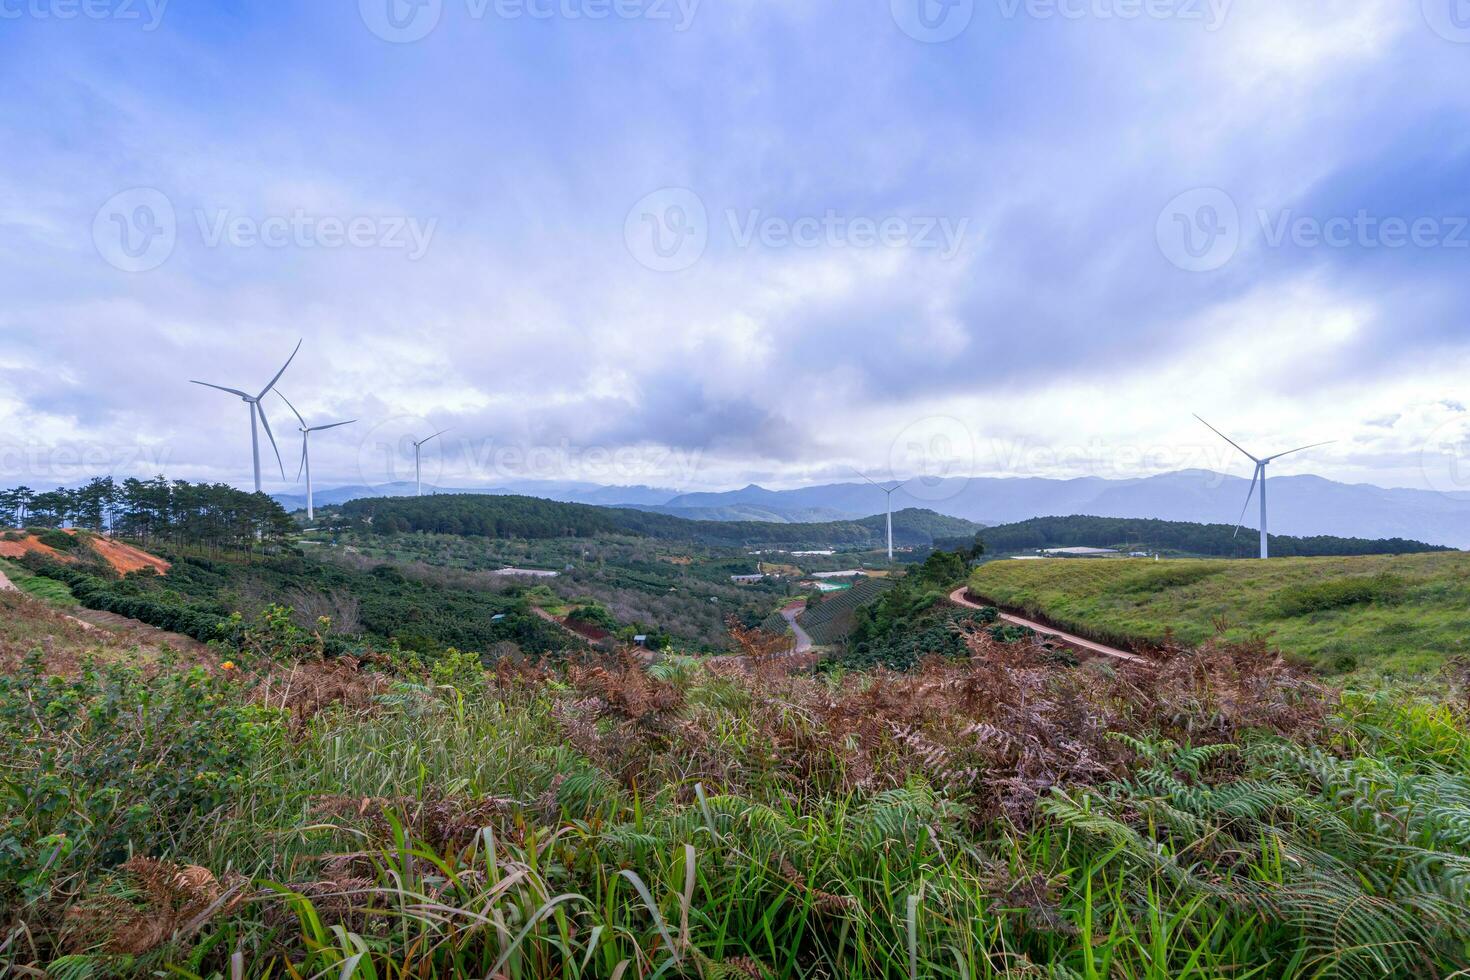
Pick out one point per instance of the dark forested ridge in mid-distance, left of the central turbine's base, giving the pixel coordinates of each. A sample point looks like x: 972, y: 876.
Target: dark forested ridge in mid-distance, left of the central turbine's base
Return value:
x: 484, y: 516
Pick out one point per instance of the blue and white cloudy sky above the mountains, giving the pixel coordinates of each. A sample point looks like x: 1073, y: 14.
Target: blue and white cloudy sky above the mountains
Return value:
x: 702, y: 243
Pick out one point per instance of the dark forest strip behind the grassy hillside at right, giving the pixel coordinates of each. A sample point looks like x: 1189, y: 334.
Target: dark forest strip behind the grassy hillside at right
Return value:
x: 1177, y: 537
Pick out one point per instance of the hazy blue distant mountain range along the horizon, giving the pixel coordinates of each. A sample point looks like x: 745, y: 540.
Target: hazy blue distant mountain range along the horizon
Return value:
x: 1299, y: 505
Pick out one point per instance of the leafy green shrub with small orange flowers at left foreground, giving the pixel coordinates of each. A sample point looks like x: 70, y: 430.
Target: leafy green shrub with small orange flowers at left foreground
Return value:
x: 110, y: 765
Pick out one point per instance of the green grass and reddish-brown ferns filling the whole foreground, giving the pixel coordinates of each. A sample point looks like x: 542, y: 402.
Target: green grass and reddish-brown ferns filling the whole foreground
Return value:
x: 287, y: 815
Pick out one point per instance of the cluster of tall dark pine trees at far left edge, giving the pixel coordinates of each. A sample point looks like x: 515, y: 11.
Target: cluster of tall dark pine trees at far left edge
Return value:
x: 209, y: 516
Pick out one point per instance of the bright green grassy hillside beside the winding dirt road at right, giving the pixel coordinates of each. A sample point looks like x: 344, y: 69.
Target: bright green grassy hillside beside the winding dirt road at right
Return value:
x: 1381, y: 613
